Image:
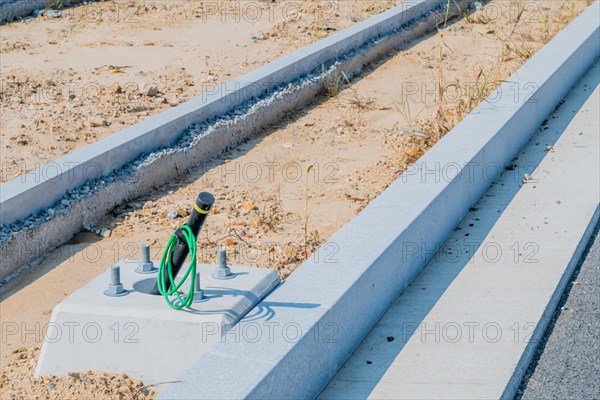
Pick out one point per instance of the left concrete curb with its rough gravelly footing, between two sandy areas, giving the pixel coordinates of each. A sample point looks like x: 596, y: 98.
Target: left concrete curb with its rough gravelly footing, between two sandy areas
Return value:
x: 45, y: 208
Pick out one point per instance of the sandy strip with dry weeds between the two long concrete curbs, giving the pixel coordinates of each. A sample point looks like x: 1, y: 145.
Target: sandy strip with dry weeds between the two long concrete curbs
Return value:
x: 283, y: 193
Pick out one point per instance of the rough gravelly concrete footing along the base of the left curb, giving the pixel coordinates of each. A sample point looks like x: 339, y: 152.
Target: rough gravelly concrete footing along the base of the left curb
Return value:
x: 40, y: 234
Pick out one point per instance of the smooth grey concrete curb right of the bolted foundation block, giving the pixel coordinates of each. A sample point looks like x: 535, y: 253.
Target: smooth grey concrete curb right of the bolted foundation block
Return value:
x: 297, y: 338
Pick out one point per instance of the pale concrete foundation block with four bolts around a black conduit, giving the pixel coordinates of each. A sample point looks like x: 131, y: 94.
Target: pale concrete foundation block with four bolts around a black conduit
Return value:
x: 138, y: 333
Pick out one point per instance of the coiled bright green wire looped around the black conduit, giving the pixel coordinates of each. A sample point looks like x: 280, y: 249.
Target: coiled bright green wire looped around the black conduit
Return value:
x: 165, y: 262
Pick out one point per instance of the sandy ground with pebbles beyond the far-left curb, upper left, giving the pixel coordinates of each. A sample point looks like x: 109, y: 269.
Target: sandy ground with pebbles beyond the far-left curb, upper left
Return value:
x: 101, y: 67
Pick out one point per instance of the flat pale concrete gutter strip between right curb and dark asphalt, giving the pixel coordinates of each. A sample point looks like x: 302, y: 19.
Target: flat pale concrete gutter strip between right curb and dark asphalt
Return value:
x: 469, y: 323
